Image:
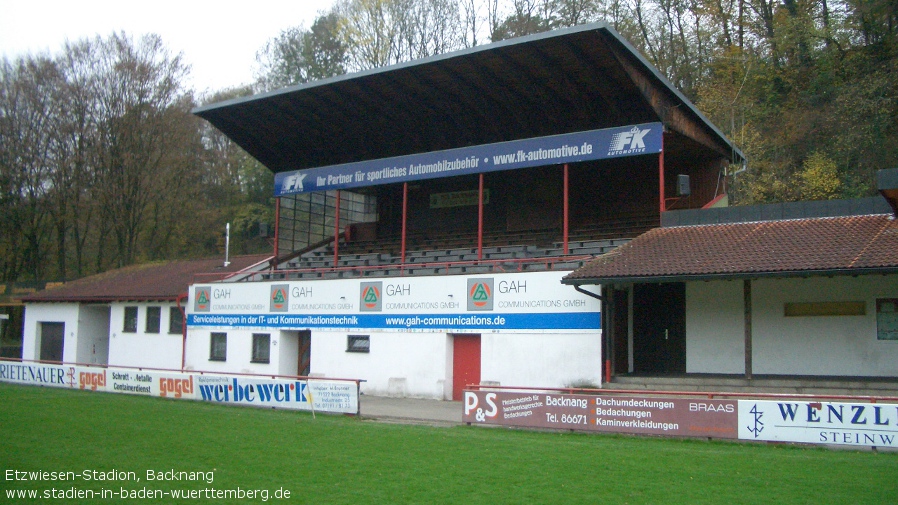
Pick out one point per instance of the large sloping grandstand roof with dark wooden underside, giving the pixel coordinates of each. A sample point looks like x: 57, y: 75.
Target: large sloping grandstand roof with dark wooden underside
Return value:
x: 564, y: 81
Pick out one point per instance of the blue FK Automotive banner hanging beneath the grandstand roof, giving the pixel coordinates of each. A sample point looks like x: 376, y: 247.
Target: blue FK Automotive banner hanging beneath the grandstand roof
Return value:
x: 567, y: 148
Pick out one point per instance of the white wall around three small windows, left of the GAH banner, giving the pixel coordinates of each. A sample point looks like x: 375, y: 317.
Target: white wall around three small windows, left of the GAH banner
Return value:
x: 139, y: 348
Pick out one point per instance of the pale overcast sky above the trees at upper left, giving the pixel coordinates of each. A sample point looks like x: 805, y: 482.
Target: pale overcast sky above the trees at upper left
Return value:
x: 218, y: 39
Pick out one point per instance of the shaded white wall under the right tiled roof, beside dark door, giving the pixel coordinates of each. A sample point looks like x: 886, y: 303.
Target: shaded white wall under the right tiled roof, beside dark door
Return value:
x: 807, y: 345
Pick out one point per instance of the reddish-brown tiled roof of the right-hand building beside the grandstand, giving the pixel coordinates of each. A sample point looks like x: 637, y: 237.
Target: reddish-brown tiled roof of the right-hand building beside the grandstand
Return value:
x: 857, y: 244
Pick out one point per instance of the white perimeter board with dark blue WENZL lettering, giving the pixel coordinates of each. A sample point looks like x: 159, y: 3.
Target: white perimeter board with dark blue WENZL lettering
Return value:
x: 861, y: 424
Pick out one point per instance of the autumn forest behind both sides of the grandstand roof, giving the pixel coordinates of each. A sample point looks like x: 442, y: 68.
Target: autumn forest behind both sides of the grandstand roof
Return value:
x: 103, y: 165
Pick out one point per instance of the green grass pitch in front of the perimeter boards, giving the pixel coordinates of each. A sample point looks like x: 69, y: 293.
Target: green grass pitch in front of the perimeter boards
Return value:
x: 335, y: 459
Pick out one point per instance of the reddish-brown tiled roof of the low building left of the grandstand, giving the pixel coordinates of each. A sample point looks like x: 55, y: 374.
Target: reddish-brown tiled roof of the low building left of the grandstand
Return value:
x: 151, y: 281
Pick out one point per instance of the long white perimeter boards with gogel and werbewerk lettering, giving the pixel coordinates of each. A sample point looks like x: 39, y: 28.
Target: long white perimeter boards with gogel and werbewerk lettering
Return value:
x: 322, y: 395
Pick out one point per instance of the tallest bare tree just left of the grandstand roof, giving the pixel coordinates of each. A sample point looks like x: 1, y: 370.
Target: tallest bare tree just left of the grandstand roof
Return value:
x: 138, y: 93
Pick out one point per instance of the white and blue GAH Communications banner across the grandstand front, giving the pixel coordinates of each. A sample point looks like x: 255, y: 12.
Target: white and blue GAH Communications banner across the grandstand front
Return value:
x: 511, y: 302
